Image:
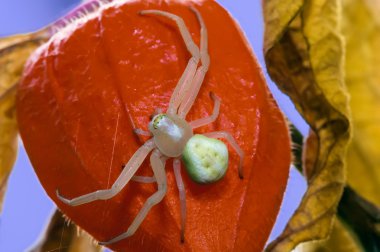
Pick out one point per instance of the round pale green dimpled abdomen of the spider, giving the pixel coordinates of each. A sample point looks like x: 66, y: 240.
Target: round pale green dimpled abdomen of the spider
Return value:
x: 206, y: 159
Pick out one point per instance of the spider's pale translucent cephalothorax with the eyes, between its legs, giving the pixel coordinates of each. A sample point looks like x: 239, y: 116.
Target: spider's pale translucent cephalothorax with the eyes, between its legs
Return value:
x: 170, y: 134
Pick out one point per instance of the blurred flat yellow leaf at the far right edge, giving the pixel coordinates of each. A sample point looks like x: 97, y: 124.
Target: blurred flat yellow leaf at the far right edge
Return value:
x: 361, y: 27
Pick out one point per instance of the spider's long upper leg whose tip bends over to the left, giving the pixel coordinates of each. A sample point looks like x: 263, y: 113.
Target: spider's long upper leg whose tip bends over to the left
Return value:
x: 184, y: 82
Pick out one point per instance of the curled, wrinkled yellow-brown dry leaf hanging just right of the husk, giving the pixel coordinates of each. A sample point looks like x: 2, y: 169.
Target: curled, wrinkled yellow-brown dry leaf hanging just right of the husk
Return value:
x: 304, y: 56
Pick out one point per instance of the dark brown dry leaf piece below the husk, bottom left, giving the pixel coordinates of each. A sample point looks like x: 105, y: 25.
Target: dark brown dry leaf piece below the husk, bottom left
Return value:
x: 61, y: 235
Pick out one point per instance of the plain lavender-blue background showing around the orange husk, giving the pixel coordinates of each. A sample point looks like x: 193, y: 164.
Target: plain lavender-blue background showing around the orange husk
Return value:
x: 26, y: 207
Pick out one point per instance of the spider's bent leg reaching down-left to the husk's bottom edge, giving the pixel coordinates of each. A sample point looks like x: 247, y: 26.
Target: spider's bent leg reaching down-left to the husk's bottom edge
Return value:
x: 158, y: 167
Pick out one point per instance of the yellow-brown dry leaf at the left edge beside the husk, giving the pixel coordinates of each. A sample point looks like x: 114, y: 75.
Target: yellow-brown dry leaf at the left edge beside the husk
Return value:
x: 14, y: 51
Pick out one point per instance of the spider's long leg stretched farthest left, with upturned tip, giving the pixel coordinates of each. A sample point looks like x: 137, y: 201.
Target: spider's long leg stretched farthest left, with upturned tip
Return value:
x: 125, y: 176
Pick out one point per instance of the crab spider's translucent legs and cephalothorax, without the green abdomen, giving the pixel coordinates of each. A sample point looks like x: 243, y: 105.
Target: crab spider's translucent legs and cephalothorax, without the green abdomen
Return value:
x: 170, y: 132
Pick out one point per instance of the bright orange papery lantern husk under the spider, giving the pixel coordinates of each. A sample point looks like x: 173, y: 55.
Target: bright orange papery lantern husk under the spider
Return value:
x: 85, y: 90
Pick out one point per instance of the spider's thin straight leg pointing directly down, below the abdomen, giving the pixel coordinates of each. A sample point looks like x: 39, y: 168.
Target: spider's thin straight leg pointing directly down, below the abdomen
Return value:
x: 182, y: 195
